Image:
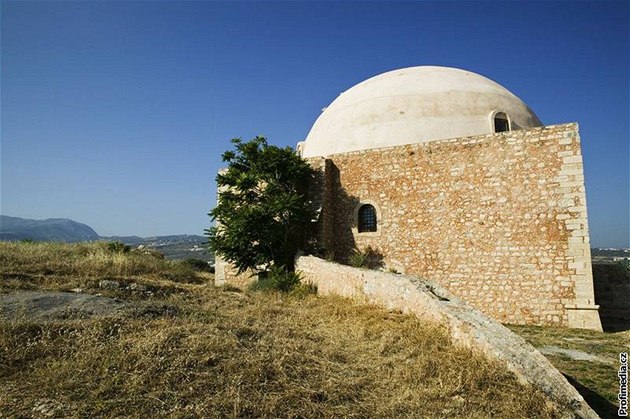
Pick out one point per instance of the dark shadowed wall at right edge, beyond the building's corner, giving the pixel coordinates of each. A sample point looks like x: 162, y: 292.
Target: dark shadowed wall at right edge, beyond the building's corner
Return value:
x: 612, y: 293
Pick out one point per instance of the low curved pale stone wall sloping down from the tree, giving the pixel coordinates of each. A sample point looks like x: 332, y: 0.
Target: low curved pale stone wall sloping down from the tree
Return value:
x: 467, y: 325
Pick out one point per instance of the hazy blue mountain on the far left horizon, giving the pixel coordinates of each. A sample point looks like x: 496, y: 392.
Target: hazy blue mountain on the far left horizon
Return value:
x: 51, y: 229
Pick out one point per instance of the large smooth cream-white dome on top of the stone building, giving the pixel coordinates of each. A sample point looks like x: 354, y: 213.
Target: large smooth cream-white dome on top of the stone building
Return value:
x: 413, y: 105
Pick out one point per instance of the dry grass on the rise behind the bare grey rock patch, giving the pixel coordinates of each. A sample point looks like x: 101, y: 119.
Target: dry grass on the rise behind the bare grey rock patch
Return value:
x: 62, y: 267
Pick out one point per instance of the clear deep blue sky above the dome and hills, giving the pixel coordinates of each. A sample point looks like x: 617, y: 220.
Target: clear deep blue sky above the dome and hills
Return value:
x: 115, y: 114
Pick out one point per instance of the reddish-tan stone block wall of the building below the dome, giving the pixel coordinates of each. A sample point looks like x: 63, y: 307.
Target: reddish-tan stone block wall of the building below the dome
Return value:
x: 500, y: 220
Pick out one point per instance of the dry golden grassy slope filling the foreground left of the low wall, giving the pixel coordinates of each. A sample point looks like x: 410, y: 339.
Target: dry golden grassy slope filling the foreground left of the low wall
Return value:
x: 190, y: 349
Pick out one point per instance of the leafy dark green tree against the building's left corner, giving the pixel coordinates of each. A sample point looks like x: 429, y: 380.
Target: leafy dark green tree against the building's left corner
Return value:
x: 263, y: 211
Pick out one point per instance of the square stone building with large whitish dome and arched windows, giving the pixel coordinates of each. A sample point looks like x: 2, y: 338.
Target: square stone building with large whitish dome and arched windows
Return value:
x: 449, y: 176
